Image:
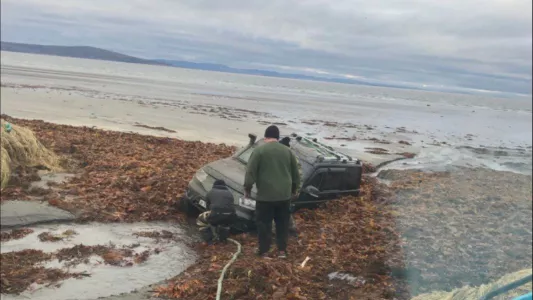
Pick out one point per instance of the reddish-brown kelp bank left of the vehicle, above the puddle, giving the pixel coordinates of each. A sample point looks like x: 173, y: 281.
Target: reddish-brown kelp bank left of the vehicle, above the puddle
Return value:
x: 119, y: 176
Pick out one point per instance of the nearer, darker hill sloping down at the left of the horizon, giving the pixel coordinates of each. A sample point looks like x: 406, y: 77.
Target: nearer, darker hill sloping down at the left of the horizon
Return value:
x: 75, y: 51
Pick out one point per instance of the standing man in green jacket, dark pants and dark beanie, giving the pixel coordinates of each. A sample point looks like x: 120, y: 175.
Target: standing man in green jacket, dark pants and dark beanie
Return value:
x: 273, y: 168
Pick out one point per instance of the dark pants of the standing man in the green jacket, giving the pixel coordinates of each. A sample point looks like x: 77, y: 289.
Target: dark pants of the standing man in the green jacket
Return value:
x: 265, y: 213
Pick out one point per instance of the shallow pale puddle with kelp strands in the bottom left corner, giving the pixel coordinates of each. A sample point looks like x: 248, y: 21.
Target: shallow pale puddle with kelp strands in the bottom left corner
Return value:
x: 107, y: 280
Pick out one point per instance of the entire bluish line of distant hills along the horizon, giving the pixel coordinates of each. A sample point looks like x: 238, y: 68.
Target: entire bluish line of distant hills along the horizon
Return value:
x: 101, y: 54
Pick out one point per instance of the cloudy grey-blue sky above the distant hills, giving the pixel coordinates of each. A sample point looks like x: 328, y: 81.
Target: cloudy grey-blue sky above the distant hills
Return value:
x: 466, y: 45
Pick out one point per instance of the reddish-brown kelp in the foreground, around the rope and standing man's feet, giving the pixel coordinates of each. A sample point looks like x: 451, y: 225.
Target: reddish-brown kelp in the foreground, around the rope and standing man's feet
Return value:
x: 347, y: 249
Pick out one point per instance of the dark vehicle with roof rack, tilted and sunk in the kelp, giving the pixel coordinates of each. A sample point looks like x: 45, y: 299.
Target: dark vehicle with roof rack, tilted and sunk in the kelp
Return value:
x: 326, y: 175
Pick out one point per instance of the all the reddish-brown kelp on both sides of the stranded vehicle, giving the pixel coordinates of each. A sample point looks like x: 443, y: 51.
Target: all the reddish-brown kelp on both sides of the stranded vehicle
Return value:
x: 350, y: 247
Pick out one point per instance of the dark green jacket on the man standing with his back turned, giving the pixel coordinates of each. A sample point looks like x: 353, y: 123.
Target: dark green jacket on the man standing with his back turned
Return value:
x: 273, y: 168
